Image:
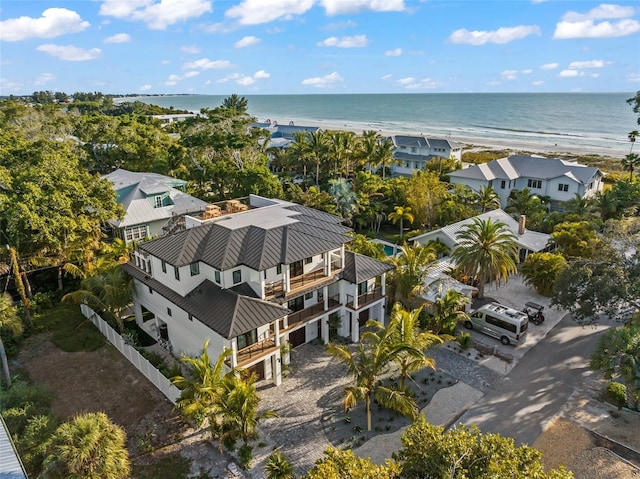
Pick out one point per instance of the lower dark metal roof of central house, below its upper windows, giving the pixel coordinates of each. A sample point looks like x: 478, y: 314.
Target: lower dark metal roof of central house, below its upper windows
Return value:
x: 228, y: 312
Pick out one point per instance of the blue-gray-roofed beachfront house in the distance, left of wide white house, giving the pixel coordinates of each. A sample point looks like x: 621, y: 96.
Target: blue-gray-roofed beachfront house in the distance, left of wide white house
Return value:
x: 412, y: 153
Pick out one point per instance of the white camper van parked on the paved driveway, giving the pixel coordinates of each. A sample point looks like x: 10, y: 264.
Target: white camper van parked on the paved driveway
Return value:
x: 501, y: 322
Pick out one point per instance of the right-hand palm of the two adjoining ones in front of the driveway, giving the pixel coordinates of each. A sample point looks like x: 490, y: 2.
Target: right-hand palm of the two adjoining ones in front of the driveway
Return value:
x: 405, y: 328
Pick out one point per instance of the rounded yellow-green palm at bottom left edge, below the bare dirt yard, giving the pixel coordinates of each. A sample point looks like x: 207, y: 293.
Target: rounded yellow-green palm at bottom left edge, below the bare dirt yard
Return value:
x: 89, y: 446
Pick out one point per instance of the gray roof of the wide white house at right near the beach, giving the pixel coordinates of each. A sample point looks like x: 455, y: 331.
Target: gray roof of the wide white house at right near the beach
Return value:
x: 518, y: 166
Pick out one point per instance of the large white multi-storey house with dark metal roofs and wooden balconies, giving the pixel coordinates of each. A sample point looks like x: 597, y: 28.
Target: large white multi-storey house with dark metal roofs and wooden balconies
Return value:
x: 253, y: 281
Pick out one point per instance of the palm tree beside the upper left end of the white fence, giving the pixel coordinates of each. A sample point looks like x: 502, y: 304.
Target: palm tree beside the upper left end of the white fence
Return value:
x: 109, y: 292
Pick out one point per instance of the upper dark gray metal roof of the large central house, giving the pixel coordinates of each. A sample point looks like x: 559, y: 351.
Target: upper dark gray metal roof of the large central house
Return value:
x: 278, y: 234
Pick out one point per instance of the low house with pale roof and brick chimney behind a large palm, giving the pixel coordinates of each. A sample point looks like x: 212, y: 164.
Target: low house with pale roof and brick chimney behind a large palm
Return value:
x: 528, y: 241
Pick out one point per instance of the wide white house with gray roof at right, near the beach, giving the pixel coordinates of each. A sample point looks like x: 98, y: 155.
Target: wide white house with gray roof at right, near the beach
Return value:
x: 559, y: 180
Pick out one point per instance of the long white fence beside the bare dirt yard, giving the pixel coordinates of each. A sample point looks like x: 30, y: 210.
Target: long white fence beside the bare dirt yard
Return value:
x: 134, y: 357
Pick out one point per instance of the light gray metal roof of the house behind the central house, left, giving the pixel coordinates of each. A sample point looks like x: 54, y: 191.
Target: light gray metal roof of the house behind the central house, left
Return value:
x: 134, y: 190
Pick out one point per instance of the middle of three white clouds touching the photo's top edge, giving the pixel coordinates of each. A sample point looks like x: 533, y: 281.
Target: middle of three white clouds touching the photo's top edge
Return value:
x: 255, y: 12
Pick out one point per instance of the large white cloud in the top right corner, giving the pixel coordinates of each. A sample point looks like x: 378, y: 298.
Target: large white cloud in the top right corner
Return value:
x: 586, y: 25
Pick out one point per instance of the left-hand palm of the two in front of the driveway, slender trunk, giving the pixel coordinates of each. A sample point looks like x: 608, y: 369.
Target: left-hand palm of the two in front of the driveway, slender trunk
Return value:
x: 367, y: 363
